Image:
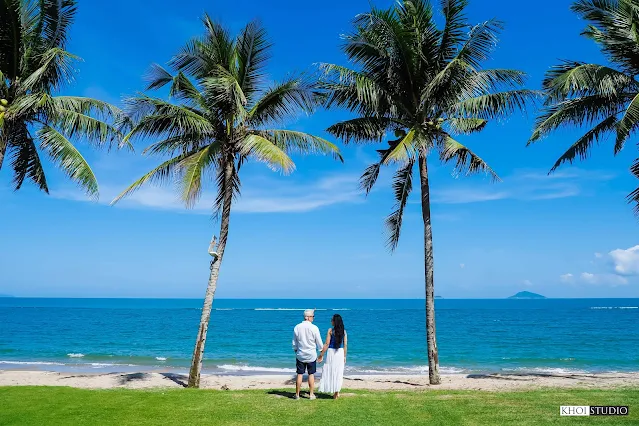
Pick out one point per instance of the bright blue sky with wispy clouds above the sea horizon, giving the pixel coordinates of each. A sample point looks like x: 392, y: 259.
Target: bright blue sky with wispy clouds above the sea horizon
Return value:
x: 311, y: 234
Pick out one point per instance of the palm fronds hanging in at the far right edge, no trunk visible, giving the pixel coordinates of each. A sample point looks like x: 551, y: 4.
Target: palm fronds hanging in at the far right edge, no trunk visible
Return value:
x: 603, y: 98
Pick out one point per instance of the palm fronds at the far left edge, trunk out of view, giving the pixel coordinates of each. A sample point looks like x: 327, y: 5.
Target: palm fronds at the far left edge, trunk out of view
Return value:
x: 33, y: 66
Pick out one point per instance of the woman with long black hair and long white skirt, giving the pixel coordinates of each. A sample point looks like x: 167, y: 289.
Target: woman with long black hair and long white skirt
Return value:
x: 336, y: 345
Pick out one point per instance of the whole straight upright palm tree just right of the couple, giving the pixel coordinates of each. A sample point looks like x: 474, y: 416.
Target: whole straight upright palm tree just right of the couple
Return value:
x: 426, y: 85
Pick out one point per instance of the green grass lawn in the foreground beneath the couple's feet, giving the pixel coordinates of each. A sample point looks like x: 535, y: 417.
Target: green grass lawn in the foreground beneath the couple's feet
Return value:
x: 68, y: 406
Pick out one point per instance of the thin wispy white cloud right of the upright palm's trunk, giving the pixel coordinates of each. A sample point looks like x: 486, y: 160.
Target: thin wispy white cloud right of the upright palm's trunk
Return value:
x: 523, y: 185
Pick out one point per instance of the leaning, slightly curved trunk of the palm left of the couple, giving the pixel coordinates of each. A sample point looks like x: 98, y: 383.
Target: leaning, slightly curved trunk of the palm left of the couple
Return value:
x: 198, y: 352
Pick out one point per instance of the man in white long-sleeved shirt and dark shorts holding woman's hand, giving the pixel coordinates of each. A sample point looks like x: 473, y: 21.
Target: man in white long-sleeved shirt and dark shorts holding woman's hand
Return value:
x: 306, y: 342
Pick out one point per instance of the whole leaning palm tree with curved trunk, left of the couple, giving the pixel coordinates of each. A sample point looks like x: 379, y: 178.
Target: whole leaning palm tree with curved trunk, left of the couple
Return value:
x: 222, y: 118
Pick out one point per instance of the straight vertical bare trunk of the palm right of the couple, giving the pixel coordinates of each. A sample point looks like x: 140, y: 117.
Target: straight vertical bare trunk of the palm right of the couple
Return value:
x: 431, y: 338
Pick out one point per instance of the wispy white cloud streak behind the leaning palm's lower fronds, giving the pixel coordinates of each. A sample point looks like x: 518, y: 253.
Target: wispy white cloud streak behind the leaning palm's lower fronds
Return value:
x: 265, y: 196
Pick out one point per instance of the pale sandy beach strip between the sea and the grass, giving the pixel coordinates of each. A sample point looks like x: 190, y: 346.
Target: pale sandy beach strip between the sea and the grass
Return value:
x: 159, y: 379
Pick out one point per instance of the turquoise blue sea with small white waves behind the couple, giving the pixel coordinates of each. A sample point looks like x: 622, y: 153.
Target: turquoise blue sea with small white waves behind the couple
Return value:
x: 254, y: 336
